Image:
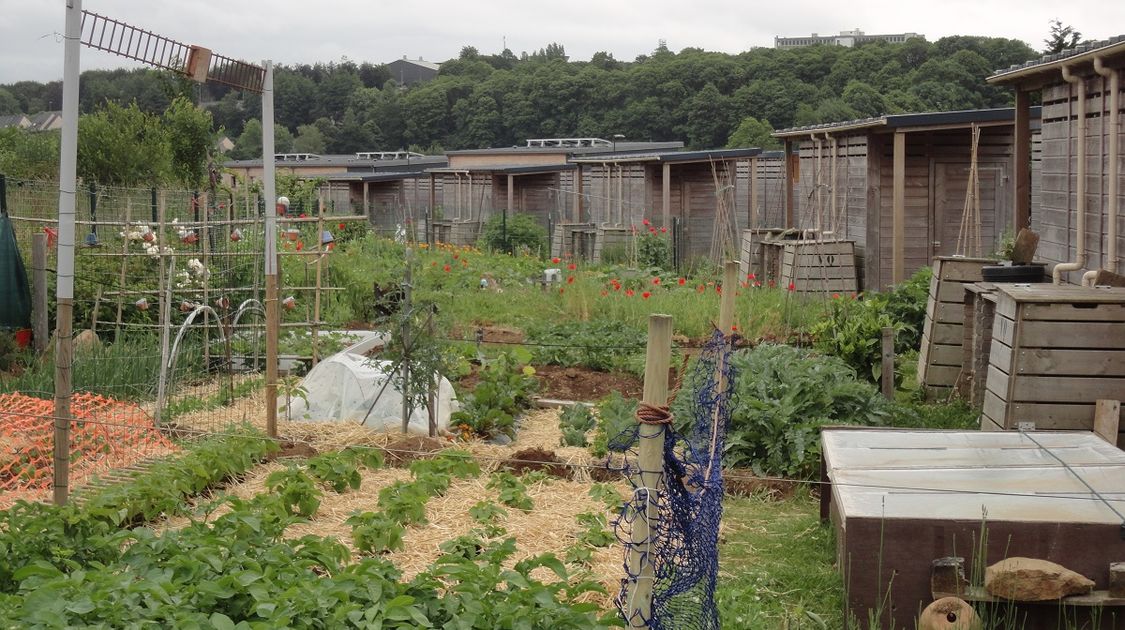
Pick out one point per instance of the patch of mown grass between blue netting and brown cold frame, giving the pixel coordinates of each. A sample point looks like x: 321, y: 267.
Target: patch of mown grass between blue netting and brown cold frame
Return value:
x: 777, y: 566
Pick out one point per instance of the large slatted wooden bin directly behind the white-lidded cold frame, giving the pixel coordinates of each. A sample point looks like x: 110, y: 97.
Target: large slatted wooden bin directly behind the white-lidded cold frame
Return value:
x: 1056, y: 352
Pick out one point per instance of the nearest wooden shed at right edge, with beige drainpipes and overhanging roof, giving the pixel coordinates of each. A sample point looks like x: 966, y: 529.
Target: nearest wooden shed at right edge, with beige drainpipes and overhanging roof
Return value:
x: 1077, y: 215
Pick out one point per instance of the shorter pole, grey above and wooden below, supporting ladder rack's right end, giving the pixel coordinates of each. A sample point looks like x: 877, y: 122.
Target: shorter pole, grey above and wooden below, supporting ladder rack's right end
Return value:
x: 273, y: 314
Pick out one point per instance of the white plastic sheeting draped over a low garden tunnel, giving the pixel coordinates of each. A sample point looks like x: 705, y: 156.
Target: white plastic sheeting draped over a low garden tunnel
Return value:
x: 346, y: 388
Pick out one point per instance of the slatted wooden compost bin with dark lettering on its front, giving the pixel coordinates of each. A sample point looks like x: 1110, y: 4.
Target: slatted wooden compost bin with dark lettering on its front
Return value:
x: 818, y: 267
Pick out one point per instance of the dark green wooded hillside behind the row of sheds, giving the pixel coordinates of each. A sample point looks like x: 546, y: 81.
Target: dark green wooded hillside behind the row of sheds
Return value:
x: 497, y: 101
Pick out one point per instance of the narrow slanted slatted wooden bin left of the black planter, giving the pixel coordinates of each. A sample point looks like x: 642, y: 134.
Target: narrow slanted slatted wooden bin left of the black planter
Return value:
x: 942, y: 354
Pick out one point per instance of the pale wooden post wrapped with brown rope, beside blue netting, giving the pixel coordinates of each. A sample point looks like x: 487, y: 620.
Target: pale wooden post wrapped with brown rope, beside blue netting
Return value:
x: 650, y: 478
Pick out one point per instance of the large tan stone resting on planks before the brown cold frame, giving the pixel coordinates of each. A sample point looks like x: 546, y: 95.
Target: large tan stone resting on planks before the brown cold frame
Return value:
x: 1031, y: 580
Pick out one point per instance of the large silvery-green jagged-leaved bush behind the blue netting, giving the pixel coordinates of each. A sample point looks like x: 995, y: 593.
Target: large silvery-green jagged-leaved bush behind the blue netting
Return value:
x: 784, y: 395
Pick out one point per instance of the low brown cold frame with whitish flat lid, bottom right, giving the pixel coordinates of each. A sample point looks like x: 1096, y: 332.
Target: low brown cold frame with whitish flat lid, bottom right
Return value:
x: 902, y: 499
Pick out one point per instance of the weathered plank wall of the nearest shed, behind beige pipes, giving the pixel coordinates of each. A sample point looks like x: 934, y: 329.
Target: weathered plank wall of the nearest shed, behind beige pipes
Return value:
x: 1056, y: 215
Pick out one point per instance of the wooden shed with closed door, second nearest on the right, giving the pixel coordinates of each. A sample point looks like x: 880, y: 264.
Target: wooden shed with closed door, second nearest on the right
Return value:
x: 897, y: 186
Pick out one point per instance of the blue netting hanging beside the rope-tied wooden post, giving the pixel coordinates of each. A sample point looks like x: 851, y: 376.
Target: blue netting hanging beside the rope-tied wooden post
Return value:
x: 686, y: 510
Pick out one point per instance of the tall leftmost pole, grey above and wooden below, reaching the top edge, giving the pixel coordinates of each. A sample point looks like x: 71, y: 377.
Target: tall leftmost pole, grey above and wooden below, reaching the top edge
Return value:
x: 65, y: 294
